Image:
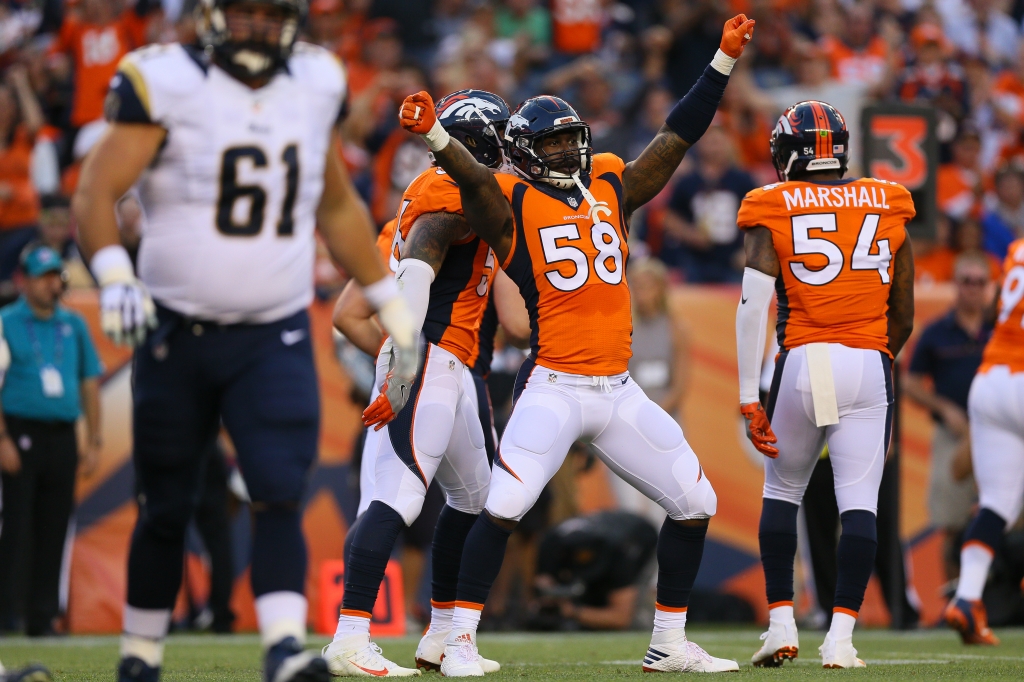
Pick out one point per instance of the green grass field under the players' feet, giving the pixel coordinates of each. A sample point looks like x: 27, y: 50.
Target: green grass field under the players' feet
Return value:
x: 932, y: 655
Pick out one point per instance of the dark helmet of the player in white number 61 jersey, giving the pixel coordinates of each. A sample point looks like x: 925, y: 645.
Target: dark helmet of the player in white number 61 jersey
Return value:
x: 247, y: 57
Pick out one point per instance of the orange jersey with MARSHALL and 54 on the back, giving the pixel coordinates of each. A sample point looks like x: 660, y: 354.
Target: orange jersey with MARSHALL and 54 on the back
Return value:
x: 836, y: 242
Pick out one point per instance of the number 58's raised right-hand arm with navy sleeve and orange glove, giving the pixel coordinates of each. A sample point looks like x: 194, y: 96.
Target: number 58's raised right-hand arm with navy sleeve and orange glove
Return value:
x: 649, y: 175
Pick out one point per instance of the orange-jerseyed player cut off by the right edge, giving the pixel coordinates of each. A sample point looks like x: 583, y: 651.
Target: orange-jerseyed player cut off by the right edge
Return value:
x: 996, y: 410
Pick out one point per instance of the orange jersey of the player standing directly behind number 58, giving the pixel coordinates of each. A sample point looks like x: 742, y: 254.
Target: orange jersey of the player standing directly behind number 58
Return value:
x: 459, y: 292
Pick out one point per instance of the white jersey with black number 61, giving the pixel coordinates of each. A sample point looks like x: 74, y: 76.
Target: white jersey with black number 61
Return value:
x: 231, y: 200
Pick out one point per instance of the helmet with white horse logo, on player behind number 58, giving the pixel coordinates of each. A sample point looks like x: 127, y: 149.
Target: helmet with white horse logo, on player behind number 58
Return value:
x: 478, y: 119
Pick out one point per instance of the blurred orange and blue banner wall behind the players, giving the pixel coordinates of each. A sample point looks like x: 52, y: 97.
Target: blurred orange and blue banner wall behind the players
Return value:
x: 107, y: 509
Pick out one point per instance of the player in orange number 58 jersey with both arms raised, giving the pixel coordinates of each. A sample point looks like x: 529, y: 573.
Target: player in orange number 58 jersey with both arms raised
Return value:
x: 560, y: 228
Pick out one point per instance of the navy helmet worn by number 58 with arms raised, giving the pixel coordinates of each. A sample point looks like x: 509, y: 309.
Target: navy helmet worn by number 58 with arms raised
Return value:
x: 537, y: 119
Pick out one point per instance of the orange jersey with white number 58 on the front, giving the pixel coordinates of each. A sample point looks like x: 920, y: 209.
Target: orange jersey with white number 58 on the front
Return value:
x: 571, y: 271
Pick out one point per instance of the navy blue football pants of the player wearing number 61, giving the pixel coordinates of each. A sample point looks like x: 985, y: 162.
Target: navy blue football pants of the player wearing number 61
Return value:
x: 261, y: 381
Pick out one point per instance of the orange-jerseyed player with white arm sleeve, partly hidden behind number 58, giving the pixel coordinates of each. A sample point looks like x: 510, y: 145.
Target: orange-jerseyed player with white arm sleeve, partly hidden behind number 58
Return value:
x: 447, y: 274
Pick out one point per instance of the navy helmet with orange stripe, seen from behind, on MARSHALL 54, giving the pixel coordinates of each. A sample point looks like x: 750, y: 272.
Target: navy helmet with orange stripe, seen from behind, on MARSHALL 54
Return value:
x: 810, y: 137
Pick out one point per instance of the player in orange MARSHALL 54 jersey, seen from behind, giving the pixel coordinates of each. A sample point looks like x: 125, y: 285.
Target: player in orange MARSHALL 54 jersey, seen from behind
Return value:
x: 837, y: 254
